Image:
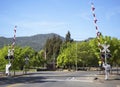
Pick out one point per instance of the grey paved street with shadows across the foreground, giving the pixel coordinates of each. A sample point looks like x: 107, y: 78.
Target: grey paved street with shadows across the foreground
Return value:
x: 59, y: 79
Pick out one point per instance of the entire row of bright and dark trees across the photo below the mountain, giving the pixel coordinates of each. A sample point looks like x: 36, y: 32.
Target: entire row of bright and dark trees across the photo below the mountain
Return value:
x: 65, y: 54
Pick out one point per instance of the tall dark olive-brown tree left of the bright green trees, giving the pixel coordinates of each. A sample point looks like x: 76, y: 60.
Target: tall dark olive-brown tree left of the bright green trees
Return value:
x: 52, y: 48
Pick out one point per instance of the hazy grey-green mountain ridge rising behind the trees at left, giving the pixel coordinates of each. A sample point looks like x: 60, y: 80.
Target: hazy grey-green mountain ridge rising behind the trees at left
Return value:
x: 37, y: 42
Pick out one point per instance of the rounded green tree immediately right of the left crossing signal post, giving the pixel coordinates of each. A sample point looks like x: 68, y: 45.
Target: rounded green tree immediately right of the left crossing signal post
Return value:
x: 19, y: 62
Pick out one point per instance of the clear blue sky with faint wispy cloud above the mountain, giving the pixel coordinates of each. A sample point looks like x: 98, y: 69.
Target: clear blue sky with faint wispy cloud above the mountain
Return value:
x: 59, y: 16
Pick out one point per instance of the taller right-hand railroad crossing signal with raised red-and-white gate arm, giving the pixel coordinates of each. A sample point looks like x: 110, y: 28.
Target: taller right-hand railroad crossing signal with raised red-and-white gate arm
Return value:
x: 105, y: 50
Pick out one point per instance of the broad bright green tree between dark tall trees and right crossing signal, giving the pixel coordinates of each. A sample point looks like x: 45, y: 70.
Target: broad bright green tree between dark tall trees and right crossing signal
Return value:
x: 77, y: 52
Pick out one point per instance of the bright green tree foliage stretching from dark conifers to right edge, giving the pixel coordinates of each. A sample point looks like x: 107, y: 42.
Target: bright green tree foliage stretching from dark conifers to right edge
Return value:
x: 88, y: 53
